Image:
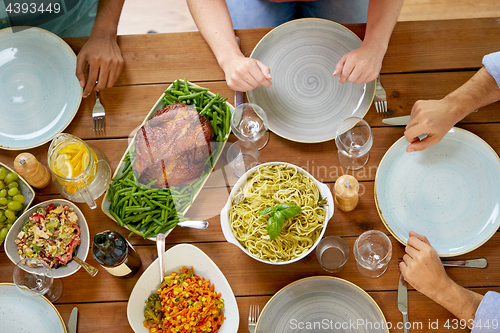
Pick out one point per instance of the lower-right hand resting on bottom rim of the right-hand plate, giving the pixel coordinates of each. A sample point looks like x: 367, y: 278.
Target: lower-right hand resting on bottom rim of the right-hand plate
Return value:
x: 422, y: 268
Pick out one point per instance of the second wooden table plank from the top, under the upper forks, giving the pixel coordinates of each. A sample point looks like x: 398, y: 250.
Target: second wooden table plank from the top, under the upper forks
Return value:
x: 133, y: 103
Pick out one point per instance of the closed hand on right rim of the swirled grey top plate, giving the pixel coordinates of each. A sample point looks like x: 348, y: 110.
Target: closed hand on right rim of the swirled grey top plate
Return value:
x: 359, y: 66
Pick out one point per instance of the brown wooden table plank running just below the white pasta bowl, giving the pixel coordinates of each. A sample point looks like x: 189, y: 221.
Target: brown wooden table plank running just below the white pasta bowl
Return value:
x: 250, y: 277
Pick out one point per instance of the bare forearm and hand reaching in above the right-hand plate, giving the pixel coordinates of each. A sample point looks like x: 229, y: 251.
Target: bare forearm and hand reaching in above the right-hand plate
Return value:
x: 436, y: 117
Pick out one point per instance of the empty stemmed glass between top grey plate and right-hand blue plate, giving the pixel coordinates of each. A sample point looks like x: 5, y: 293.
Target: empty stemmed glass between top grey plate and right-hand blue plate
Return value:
x: 354, y: 140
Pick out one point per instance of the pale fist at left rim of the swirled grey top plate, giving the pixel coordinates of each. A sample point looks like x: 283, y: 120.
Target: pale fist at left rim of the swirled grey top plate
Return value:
x: 244, y: 74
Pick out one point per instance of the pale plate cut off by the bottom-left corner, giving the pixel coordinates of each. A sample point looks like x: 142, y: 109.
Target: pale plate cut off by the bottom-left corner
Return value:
x: 22, y: 313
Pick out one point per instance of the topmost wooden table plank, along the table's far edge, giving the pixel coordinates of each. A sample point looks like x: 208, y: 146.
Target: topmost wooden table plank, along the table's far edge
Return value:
x: 414, y: 47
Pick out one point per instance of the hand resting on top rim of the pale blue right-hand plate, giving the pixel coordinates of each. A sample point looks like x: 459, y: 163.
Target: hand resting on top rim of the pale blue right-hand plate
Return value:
x: 432, y: 117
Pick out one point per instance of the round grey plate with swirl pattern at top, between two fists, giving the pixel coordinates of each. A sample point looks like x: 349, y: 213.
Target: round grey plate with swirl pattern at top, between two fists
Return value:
x: 306, y: 103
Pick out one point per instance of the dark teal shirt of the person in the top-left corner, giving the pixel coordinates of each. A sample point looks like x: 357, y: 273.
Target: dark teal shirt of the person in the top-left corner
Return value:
x: 67, y: 18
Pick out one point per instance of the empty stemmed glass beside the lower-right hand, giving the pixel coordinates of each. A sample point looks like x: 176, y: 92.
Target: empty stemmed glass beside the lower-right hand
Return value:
x: 373, y: 251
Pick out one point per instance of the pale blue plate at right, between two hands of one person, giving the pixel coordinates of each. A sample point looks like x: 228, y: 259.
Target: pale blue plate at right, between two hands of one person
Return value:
x: 449, y: 192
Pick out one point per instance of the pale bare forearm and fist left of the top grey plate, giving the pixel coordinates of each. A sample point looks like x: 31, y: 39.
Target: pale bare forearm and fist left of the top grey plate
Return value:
x: 214, y: 22
